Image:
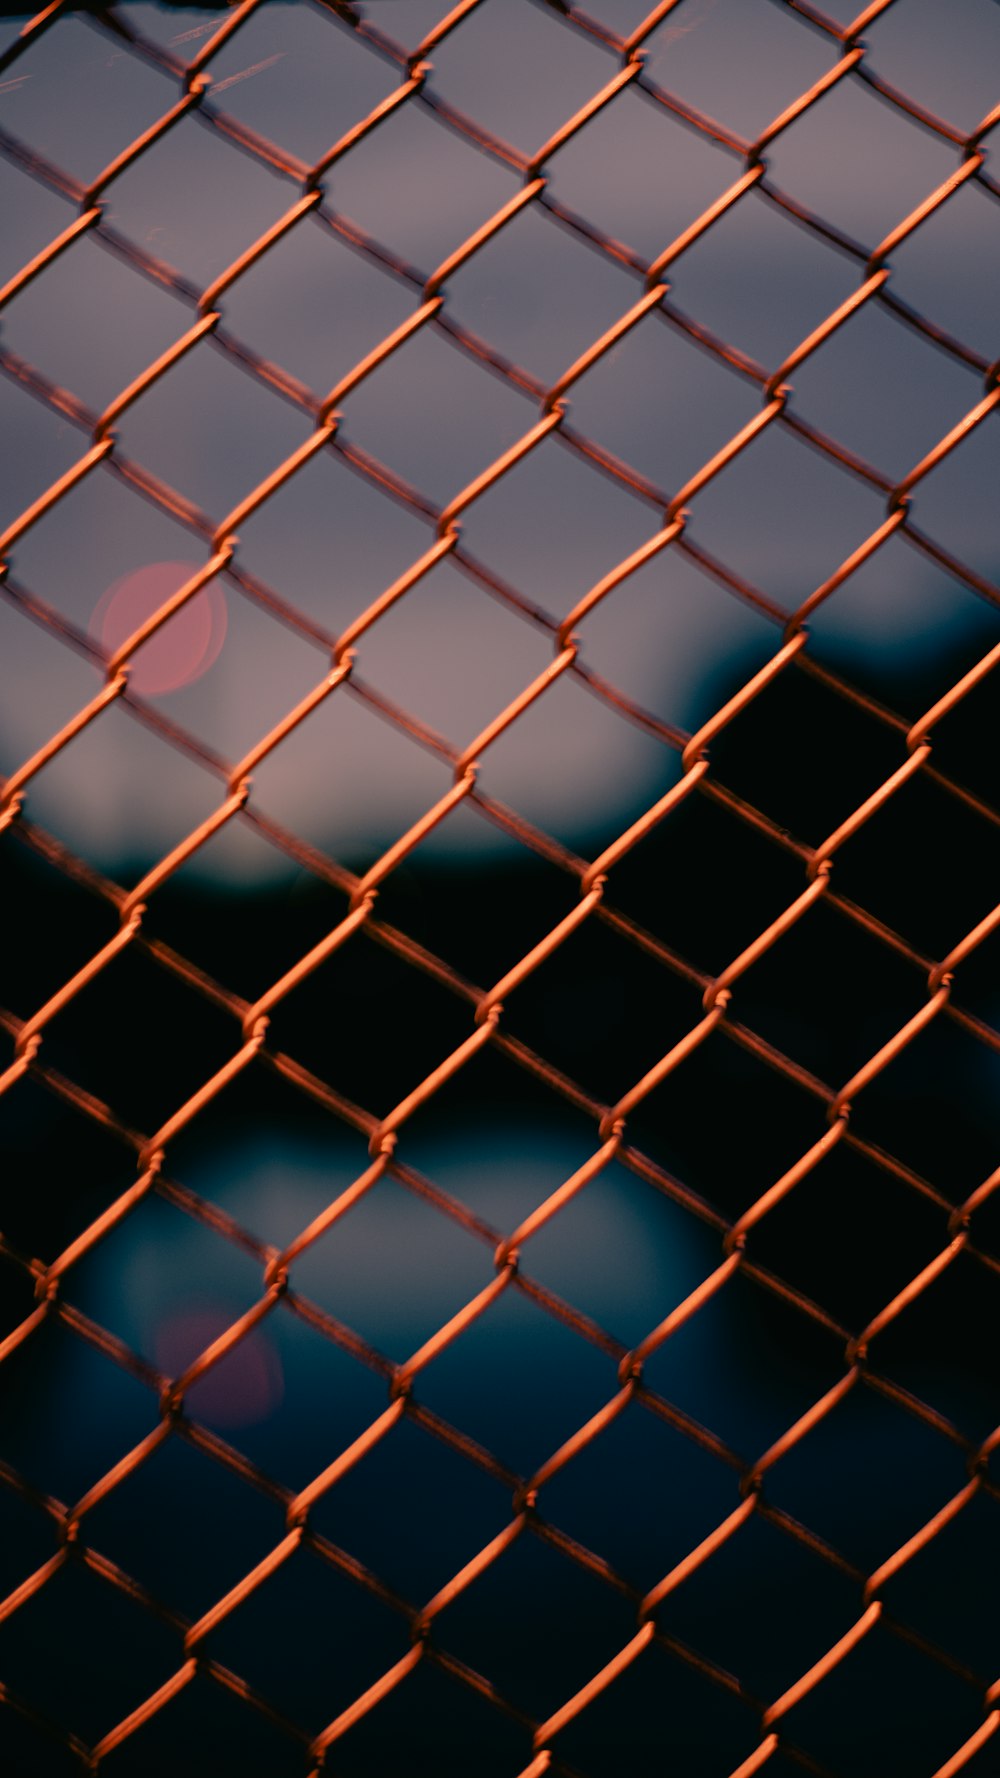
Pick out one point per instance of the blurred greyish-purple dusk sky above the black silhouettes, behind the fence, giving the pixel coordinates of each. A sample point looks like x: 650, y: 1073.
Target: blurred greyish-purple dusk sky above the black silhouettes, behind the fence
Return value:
x: 328, y: 543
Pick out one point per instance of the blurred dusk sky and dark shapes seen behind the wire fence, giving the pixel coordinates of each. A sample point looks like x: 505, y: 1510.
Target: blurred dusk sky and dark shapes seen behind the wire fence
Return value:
x: 665, y: 652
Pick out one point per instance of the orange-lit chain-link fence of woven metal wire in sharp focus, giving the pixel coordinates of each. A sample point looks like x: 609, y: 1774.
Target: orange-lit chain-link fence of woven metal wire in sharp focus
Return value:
x: 714, y: 1000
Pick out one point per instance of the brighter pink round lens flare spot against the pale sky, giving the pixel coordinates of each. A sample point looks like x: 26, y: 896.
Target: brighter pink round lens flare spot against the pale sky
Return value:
x: 186, y: 646
